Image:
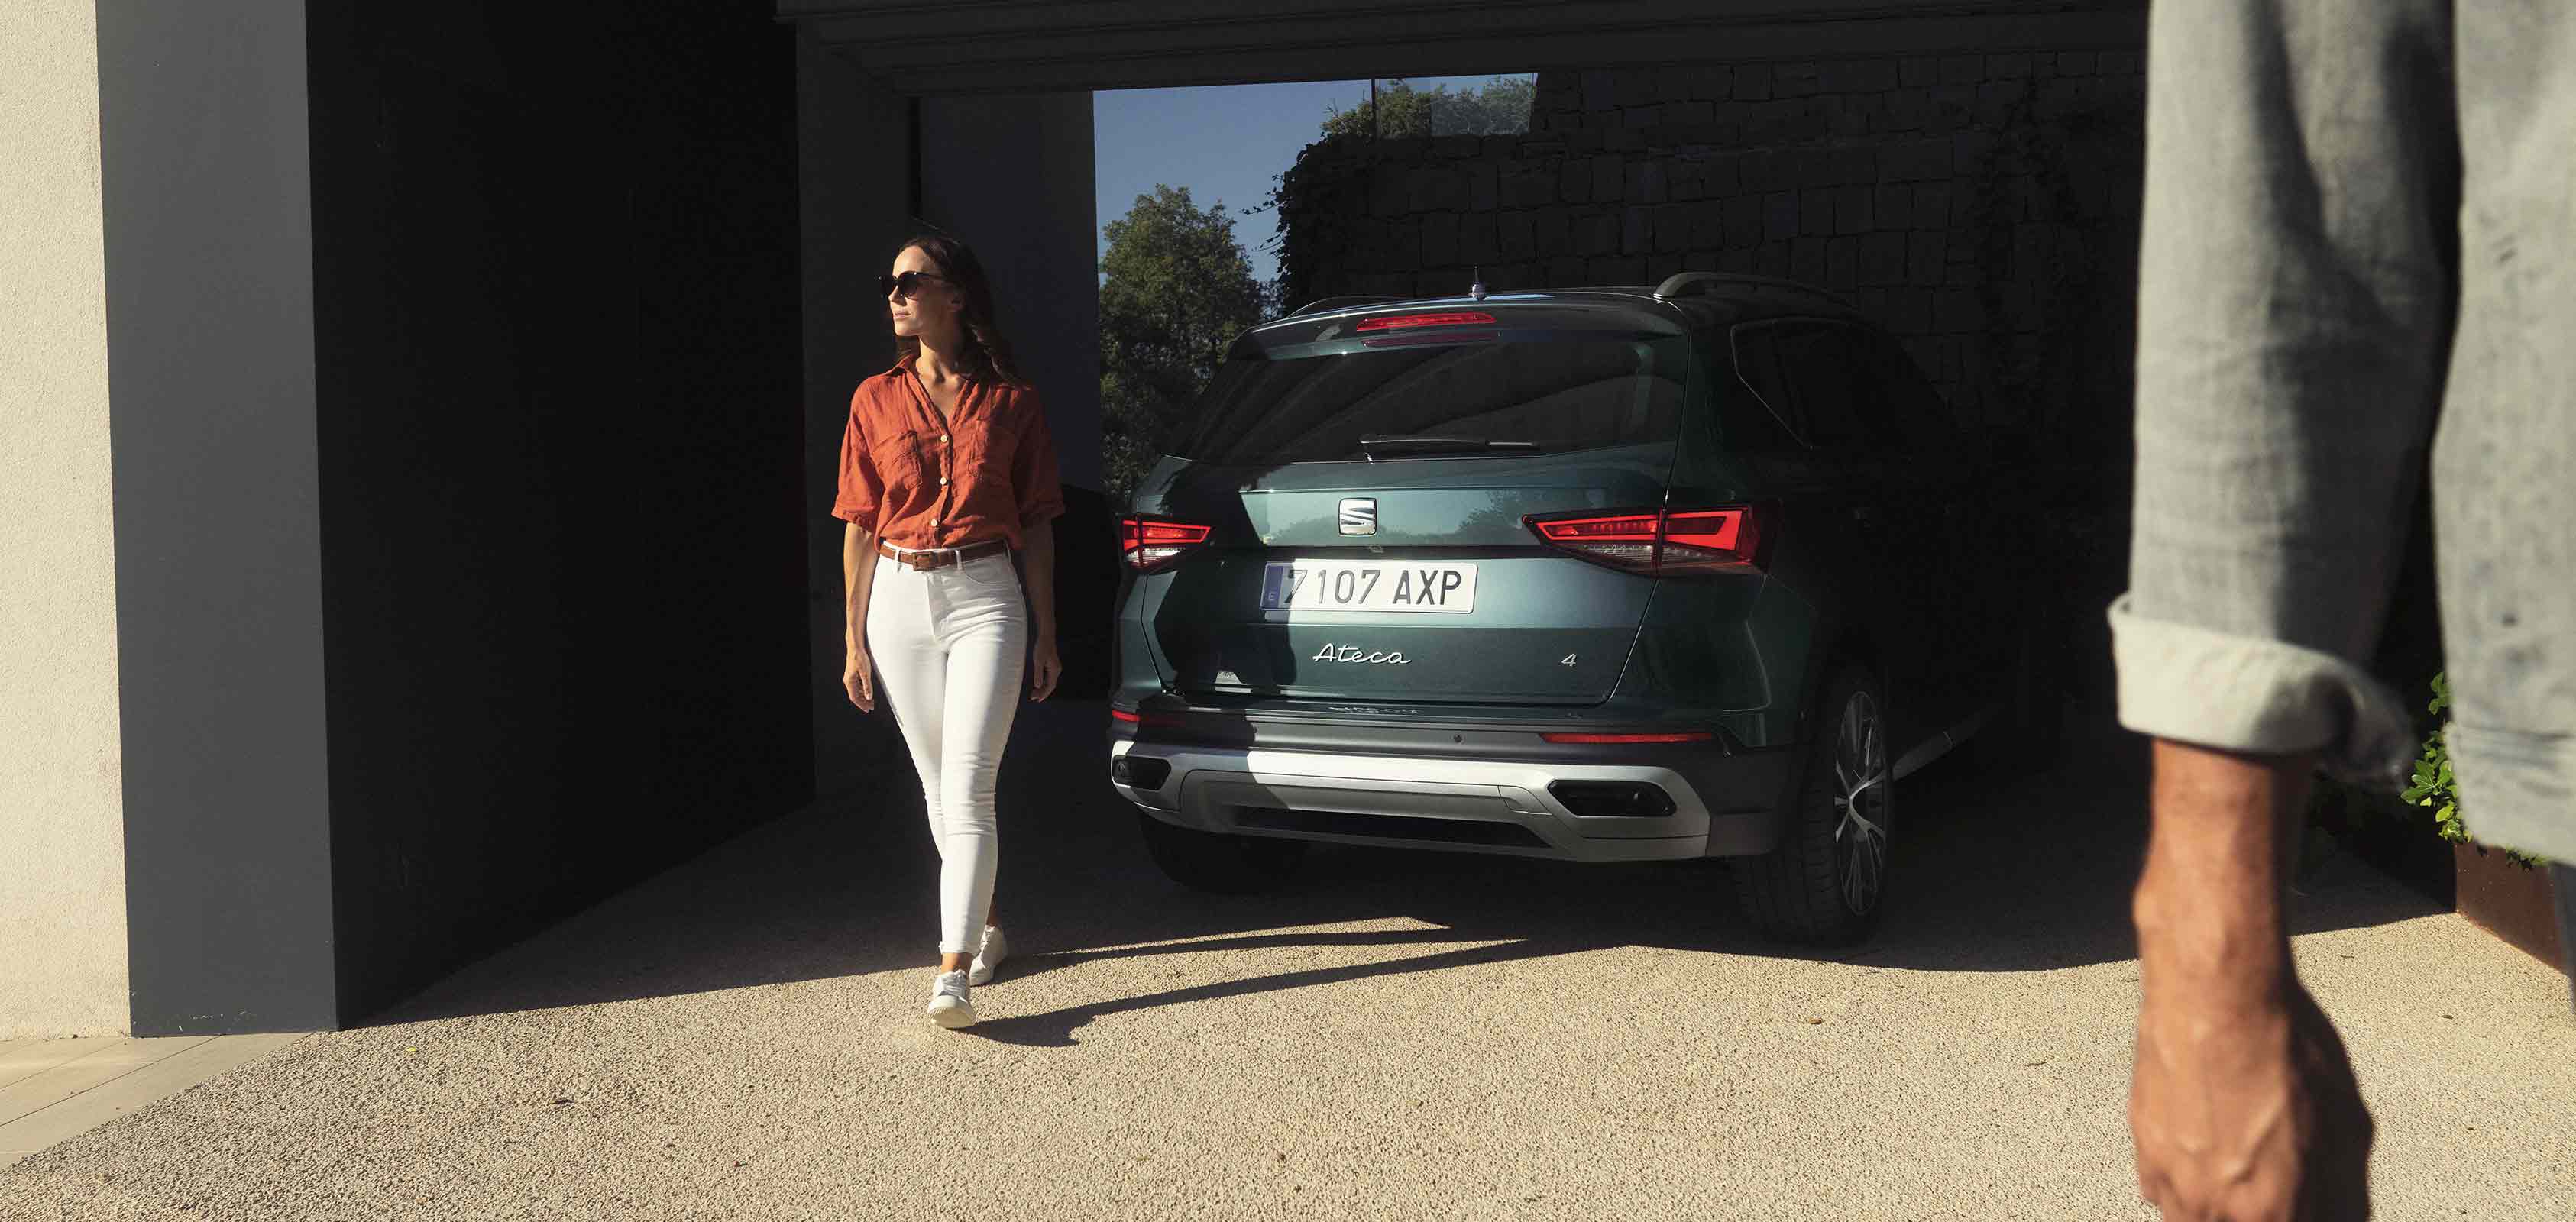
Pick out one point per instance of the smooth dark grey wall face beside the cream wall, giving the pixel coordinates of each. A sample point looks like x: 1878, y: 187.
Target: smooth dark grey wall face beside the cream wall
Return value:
x: 207, y: 202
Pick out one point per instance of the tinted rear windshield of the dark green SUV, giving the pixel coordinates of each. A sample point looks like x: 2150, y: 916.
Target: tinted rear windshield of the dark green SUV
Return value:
x: 1539, y: 396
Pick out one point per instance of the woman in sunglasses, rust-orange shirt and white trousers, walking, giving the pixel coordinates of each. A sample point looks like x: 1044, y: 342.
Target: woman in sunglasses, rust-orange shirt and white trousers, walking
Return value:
x: 944, y: 473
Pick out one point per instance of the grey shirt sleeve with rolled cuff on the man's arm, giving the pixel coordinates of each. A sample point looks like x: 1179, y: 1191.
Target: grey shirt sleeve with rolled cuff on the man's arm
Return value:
x: 2294, y: 326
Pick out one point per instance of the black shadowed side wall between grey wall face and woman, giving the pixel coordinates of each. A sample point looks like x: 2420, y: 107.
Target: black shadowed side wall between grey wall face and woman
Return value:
x: 563, y: 476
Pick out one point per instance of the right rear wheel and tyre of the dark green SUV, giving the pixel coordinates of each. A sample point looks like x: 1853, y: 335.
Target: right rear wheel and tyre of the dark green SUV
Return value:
x: 1825, y: 883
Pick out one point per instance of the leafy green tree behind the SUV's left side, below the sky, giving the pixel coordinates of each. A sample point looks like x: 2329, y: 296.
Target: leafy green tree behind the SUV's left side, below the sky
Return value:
x: 1176, y: 290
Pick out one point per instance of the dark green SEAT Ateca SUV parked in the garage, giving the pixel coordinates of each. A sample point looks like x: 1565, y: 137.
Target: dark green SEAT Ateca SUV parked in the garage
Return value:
x: 1591, y: 574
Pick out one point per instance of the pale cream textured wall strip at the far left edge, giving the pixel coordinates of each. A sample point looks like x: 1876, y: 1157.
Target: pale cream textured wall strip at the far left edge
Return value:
x: 63, y: 880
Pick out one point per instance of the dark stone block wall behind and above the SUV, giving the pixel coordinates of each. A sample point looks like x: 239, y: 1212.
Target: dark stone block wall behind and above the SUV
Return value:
x: 1977, y: 205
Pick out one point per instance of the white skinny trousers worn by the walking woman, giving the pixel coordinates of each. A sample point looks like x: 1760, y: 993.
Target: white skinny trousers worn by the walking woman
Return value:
x: 949, y: 648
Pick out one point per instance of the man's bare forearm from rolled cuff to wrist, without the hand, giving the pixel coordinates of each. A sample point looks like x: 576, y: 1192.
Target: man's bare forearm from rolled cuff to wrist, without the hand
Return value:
x: 2211, y: 896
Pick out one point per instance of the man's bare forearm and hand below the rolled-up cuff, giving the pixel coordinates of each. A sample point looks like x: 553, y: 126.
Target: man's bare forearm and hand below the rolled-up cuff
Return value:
x: 2242, y: 1102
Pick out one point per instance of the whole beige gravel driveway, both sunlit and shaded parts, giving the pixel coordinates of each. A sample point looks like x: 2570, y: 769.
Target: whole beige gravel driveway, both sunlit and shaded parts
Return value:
x: 1405, y: 1038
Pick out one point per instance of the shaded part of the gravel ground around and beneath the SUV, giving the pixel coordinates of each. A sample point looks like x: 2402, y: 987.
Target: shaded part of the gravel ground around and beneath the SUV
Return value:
x: 1998, y: 875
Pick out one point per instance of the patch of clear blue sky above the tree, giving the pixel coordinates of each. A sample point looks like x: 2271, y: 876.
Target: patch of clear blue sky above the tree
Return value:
x: 1225, y: 143
